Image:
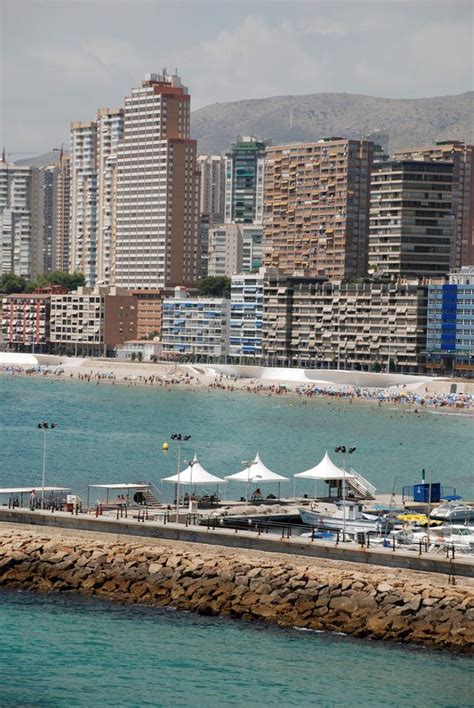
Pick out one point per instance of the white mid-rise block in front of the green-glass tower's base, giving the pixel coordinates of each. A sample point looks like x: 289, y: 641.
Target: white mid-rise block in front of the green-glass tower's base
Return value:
x: 225, y: 250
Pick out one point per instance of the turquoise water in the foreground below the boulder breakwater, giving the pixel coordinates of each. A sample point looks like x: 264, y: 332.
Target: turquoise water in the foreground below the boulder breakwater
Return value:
x: 69, y: 651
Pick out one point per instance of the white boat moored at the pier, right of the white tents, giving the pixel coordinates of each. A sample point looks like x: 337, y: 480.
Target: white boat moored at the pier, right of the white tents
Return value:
x: 335, y: 516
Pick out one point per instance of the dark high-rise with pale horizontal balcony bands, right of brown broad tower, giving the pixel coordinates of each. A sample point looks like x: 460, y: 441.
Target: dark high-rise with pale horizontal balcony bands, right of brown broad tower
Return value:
x: 411, y: 218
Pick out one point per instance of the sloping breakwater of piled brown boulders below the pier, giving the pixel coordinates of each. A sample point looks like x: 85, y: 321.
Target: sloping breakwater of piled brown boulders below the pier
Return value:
x: 315, y: 594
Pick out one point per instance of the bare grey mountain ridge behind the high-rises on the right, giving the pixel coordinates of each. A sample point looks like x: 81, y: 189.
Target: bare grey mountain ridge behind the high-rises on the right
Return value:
x: 285, y: 119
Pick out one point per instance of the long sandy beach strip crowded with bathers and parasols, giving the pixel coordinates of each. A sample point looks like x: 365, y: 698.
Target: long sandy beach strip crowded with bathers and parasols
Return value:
x: 176, y: 376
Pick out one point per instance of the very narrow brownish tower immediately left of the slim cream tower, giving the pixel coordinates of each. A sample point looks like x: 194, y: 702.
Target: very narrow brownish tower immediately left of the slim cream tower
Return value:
x: 63, y: 214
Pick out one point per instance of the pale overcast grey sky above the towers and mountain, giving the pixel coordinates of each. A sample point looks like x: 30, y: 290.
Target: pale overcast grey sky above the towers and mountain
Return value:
x: 62, y: 60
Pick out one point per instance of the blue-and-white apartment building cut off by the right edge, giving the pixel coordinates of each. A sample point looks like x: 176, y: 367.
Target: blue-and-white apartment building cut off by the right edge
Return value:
x: 450, y: 324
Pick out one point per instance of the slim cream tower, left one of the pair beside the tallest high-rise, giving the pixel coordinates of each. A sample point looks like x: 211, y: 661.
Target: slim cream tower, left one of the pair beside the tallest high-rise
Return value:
x: 83, y: 243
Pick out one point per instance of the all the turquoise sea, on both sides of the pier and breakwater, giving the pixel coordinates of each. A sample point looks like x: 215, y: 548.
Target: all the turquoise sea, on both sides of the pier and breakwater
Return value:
x: 65, y: 650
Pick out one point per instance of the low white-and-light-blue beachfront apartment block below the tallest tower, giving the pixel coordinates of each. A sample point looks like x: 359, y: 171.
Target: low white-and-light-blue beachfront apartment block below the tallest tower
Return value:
x: 195, y: 327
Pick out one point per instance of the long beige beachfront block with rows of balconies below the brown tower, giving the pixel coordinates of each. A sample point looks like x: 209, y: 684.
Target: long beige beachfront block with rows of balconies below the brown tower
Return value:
x: 378, y: 325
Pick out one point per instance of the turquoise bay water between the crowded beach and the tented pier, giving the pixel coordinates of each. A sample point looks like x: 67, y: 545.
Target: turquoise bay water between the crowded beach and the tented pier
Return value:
x: 115, y: 433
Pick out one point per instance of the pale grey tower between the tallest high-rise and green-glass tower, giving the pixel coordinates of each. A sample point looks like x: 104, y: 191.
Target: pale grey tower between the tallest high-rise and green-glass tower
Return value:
x: 212, y: 187
